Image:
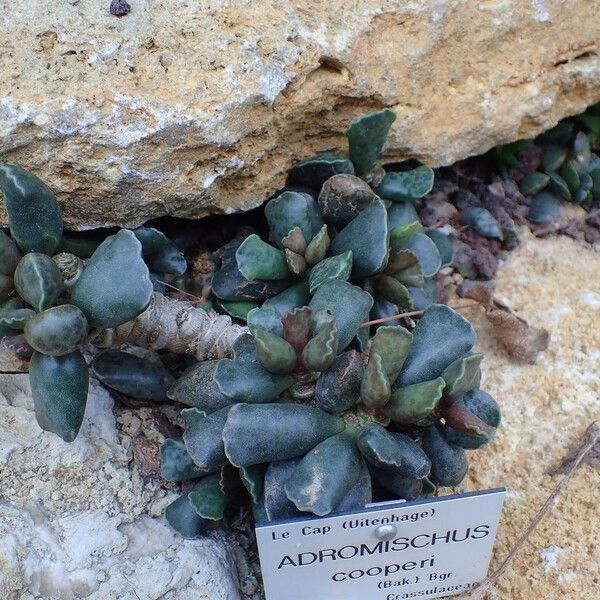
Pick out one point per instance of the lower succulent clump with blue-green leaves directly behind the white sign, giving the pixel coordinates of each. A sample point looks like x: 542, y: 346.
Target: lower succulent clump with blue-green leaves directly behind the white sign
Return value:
x: 313, y: 427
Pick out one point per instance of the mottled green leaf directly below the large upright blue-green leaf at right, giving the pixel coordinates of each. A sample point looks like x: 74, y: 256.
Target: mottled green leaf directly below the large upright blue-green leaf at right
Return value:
x: 414, y: 404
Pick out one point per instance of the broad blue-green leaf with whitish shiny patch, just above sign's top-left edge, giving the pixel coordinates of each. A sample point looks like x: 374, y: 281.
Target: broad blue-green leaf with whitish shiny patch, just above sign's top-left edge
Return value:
x: 325, y: 475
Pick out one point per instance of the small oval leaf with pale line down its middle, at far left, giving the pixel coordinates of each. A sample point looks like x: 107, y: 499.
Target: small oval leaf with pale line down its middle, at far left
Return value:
x: 38, y: 280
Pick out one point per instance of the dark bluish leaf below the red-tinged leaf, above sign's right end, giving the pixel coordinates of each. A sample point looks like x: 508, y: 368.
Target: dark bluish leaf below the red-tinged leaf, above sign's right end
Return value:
x: 448, y: 463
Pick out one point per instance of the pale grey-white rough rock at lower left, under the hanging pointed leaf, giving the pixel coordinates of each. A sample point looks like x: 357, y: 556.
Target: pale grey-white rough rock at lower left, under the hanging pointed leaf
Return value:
x: 76, y: 520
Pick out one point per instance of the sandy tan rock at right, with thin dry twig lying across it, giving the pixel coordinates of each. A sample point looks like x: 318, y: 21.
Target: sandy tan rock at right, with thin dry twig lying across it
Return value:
x: 552, y: 283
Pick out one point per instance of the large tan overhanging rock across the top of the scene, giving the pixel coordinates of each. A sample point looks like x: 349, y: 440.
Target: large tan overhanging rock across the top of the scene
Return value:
x: 186, y: 108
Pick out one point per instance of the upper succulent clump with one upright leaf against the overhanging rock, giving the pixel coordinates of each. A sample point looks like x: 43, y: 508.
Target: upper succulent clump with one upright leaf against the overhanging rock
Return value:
x: 330, y: 224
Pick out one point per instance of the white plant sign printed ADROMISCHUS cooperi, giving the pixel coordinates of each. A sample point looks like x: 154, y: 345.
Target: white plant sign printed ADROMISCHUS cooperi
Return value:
x: 388, y: 551
